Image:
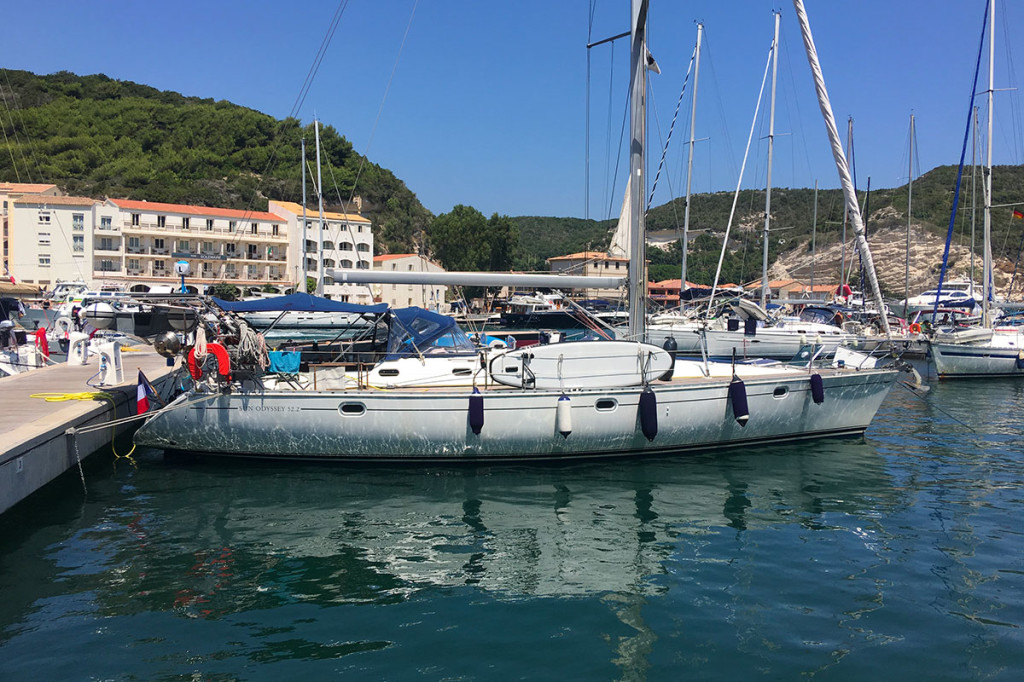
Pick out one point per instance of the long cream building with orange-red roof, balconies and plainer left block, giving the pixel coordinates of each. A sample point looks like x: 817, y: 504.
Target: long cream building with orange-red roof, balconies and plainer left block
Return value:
x: 135, y: 244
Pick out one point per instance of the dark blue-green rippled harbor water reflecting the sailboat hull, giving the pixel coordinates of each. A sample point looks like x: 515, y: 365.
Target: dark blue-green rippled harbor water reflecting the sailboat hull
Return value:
x: 900, y: 556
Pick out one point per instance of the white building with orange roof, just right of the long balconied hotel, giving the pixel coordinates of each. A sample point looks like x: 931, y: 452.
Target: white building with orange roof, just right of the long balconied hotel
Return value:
x: 349, y: 245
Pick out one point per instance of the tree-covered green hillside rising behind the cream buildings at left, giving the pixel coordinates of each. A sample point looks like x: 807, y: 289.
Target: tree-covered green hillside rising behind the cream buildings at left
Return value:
x: 96, y: 137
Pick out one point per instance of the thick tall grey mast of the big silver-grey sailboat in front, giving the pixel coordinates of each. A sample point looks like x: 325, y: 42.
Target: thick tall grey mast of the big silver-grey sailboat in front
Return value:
x: 638, y: 94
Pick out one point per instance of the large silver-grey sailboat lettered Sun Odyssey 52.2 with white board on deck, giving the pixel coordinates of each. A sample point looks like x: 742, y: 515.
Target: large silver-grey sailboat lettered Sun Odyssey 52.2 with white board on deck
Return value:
x: 566, y: 401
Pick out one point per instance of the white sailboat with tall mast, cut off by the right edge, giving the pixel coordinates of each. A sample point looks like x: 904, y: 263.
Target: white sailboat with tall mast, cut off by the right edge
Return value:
x: 990, y: 351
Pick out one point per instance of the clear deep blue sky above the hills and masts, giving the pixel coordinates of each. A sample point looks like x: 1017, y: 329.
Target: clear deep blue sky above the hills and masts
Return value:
x: 488, y: 103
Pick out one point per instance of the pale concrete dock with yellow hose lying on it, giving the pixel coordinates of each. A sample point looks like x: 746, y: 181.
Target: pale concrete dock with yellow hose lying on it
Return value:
x: 36, y: 448
